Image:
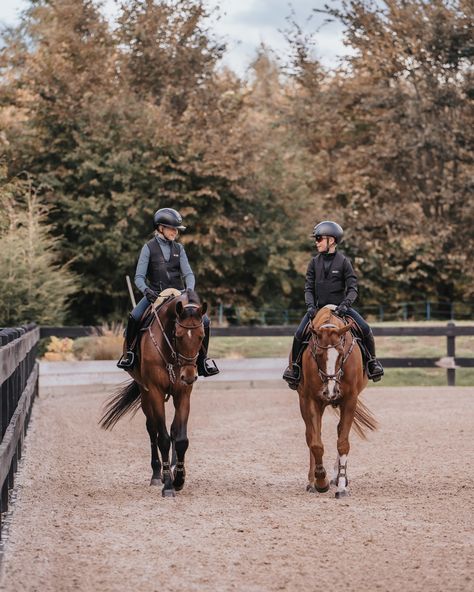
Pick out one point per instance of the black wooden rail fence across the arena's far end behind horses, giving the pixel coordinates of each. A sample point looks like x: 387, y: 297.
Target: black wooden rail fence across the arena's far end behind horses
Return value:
x: 449, y: 362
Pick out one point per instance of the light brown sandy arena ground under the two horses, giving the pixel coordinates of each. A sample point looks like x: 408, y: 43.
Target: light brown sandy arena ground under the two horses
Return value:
x: 85, y: 518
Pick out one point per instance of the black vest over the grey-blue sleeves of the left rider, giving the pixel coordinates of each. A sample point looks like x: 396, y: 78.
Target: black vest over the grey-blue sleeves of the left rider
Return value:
x: 164, y: 274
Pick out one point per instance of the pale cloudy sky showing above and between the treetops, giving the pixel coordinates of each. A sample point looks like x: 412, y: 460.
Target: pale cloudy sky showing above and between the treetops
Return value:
x: 245, y: 24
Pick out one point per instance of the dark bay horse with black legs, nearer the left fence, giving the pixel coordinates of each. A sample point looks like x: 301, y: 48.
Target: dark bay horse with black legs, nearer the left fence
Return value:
x: 166, y: 367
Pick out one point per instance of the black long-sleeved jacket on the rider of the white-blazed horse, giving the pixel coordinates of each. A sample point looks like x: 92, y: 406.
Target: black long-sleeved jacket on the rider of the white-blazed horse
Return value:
x: 330, y: 279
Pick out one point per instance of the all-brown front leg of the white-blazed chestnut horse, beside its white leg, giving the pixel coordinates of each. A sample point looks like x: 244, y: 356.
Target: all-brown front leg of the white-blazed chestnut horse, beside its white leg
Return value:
x: 312, y: 414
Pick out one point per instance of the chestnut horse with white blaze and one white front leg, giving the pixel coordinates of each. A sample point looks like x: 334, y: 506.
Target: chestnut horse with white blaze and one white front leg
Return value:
x: 332, y: 374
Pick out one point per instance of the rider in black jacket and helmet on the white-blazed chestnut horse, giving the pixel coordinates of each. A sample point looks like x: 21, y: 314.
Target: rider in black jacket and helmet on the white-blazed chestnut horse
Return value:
x: 330, y: 279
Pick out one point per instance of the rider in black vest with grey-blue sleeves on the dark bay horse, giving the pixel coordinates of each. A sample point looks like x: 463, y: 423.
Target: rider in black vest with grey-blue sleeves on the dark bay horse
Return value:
x: 163, y: 264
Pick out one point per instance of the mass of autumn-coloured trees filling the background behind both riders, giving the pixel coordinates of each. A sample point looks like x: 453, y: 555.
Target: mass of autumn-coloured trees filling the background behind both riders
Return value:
x: 111, y: 122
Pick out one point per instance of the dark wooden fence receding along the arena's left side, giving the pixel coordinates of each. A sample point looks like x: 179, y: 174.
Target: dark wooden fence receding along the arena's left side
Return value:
x: 18, y: 389
